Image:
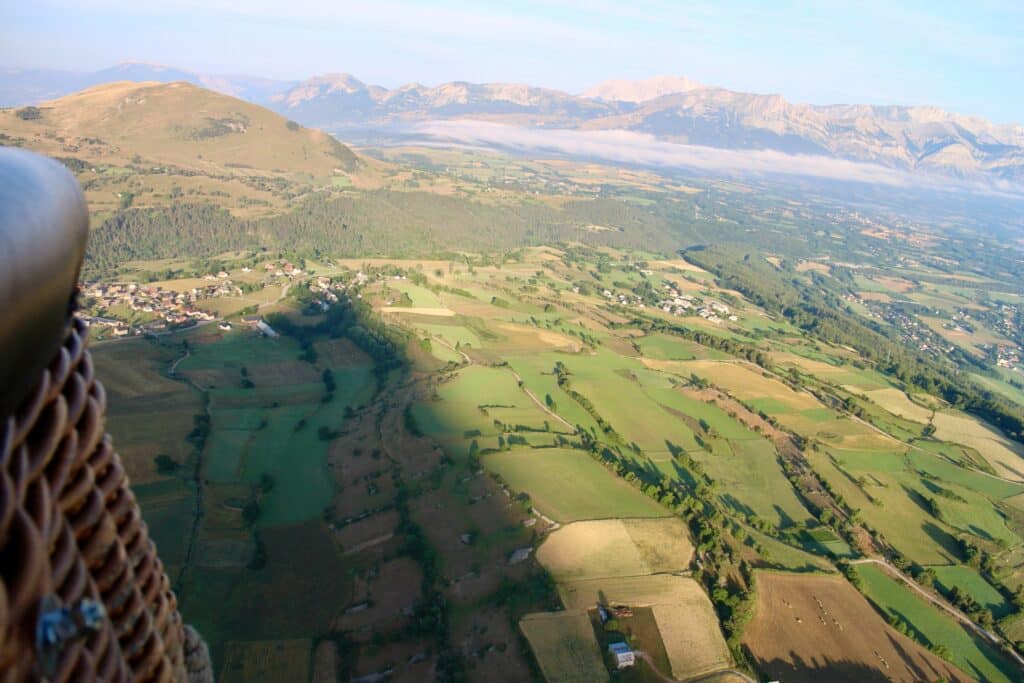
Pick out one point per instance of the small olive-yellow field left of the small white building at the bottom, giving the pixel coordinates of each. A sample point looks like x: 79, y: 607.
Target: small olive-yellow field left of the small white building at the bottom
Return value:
x: 565, y: 647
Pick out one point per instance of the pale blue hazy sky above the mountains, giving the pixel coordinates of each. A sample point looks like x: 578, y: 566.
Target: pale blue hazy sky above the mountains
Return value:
x: 967, y: 57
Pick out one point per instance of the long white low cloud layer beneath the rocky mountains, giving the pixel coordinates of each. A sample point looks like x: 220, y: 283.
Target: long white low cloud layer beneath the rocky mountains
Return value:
x: 641, y: 149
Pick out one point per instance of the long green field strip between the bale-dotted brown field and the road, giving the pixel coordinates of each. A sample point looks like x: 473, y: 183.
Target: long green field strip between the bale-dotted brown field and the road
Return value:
x: 975, y: 658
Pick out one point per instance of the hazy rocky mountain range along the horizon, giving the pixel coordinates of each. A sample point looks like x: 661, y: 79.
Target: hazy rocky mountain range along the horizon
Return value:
x: 671, y: 109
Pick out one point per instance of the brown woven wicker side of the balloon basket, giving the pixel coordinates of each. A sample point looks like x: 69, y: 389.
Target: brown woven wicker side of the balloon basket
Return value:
x: 70, y: 528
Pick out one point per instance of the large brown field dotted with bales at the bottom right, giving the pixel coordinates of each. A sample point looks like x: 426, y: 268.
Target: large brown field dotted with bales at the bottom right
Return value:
x: 821, y: 628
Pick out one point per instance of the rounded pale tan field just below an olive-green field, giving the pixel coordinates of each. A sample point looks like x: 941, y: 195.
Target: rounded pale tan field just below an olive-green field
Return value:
x: 617, y: 548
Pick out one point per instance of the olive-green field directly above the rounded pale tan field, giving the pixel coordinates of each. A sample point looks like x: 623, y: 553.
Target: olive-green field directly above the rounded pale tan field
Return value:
x: 596, y: 493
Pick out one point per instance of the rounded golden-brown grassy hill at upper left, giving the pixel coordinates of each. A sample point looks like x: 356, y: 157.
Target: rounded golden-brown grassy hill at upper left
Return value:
x: 148, y: 144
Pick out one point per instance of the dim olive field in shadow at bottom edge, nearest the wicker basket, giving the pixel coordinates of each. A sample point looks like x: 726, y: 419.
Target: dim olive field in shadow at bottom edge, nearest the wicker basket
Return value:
x: 270, y: 661
